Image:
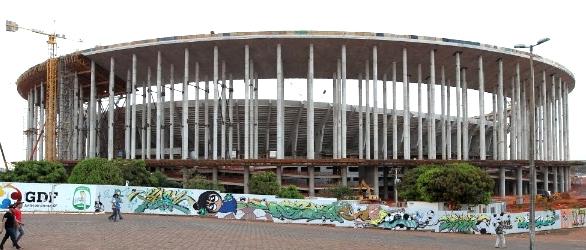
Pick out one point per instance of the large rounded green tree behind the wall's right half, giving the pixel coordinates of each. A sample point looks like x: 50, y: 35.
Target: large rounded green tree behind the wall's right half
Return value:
x: 455, y: 184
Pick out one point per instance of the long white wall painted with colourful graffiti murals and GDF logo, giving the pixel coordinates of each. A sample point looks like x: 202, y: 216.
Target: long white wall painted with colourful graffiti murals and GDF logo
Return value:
x: 210, y: 203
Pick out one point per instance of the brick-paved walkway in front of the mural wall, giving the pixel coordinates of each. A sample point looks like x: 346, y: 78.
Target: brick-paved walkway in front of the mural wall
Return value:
x: 176, y: 232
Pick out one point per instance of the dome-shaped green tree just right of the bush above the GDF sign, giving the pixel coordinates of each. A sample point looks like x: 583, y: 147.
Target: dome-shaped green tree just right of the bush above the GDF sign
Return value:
x: 96, y: 171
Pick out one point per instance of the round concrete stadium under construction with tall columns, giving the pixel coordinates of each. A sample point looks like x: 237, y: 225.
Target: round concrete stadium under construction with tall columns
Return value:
x: 112, y: 103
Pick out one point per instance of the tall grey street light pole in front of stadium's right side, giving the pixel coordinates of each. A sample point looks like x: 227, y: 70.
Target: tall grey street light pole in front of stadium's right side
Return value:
x: 533, y: 182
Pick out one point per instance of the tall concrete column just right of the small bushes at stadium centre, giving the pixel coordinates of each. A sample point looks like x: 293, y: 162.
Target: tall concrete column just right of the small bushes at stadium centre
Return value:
x: 310, y: 122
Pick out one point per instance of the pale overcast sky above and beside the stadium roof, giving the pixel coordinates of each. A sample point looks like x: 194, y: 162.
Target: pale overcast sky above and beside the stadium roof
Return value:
x: 501, y: 23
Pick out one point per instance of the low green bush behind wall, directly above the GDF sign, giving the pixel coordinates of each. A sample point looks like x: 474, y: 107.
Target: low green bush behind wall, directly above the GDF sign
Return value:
x: 36, y: 171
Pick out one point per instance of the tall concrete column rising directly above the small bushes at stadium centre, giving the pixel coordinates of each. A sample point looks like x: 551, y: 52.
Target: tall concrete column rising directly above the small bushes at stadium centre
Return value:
x: 280, y: 108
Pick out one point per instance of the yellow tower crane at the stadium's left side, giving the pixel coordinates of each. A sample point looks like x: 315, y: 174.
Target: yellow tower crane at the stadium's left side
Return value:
x: 51, y: 93
